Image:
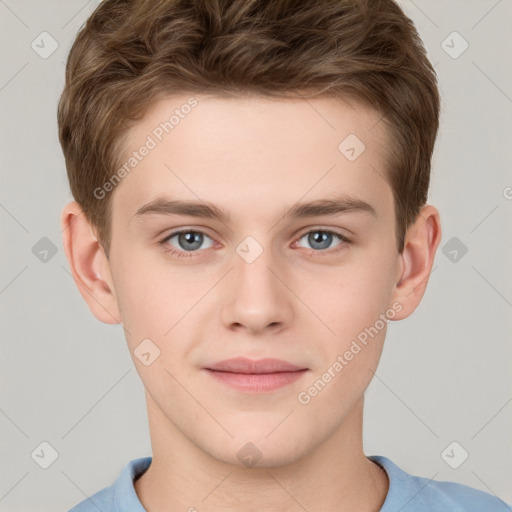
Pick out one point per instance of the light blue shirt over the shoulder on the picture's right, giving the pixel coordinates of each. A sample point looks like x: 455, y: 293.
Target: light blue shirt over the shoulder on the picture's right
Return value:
x: 410, y: 493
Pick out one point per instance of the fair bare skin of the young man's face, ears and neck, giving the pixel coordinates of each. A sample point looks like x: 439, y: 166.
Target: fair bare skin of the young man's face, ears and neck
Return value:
x: 254, y: 158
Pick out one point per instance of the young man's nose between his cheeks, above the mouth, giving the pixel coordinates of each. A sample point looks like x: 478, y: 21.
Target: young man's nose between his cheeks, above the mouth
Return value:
x: 256, y: 297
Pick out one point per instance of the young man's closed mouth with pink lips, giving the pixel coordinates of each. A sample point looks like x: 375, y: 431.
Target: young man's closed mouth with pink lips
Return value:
x: 260, y: 376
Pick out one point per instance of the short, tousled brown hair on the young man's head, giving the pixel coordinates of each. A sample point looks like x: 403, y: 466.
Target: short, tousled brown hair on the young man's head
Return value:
x: 131, y: 53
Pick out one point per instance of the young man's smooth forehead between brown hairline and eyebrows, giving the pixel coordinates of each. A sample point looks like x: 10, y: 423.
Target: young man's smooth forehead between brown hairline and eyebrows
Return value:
x: 254, y: 153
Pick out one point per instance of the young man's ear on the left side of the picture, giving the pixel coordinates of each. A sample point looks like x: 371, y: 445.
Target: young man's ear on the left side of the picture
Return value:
x: 89, y: 265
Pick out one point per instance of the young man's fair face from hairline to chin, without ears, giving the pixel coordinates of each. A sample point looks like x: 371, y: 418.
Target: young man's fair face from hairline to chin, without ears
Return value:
x: 285, y: 249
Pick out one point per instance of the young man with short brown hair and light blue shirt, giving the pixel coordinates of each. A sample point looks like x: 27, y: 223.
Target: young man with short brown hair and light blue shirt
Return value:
x: 250, y: 181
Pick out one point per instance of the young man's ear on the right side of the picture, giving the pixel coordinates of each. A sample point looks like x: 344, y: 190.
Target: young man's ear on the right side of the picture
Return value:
x: 415, y: 265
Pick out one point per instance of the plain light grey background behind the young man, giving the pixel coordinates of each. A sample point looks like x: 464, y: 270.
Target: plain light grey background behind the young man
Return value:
x: 445, y: 374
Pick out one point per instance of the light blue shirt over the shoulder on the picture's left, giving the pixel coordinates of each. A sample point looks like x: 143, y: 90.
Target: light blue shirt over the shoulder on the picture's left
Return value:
x: 121, y: 495
